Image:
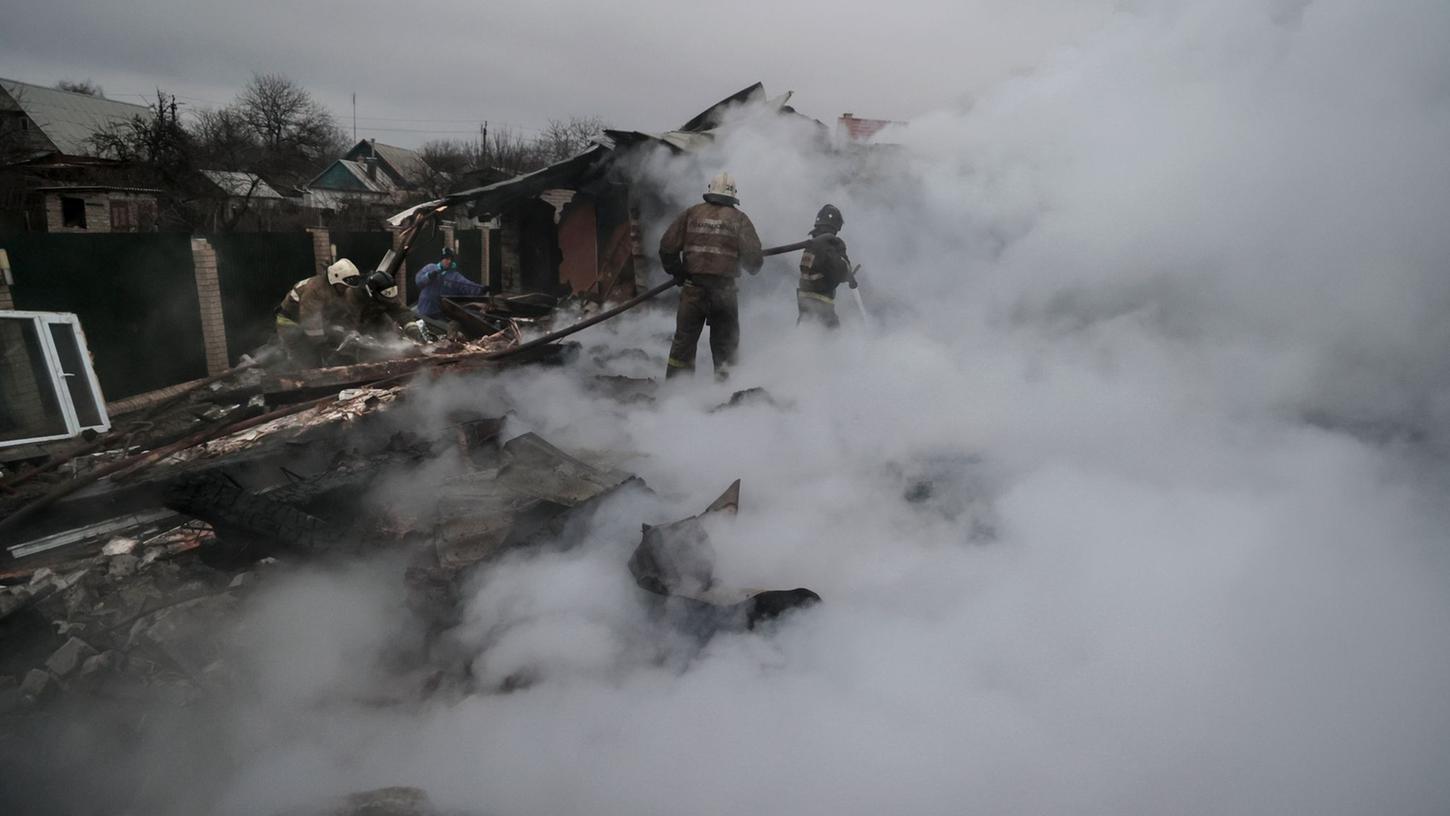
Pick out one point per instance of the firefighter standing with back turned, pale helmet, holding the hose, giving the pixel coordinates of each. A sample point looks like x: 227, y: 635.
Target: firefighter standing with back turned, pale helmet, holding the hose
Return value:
x: 705, y: 250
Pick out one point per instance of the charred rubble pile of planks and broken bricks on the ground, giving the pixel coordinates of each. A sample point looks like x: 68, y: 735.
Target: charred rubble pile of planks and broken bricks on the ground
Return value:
x: 128, y: 585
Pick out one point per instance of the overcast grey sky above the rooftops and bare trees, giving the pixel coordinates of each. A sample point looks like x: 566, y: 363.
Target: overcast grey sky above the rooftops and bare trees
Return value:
x: 437, y: 69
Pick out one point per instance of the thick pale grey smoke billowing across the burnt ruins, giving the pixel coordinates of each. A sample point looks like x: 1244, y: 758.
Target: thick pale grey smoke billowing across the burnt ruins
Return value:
x: 1167, y: 327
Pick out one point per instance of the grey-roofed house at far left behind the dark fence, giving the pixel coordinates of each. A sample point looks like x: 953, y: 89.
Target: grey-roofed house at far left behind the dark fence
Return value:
x: 54, y: 180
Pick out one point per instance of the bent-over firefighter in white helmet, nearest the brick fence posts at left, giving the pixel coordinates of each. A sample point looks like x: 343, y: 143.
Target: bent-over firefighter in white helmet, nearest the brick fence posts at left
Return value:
x: 317, y: 314
